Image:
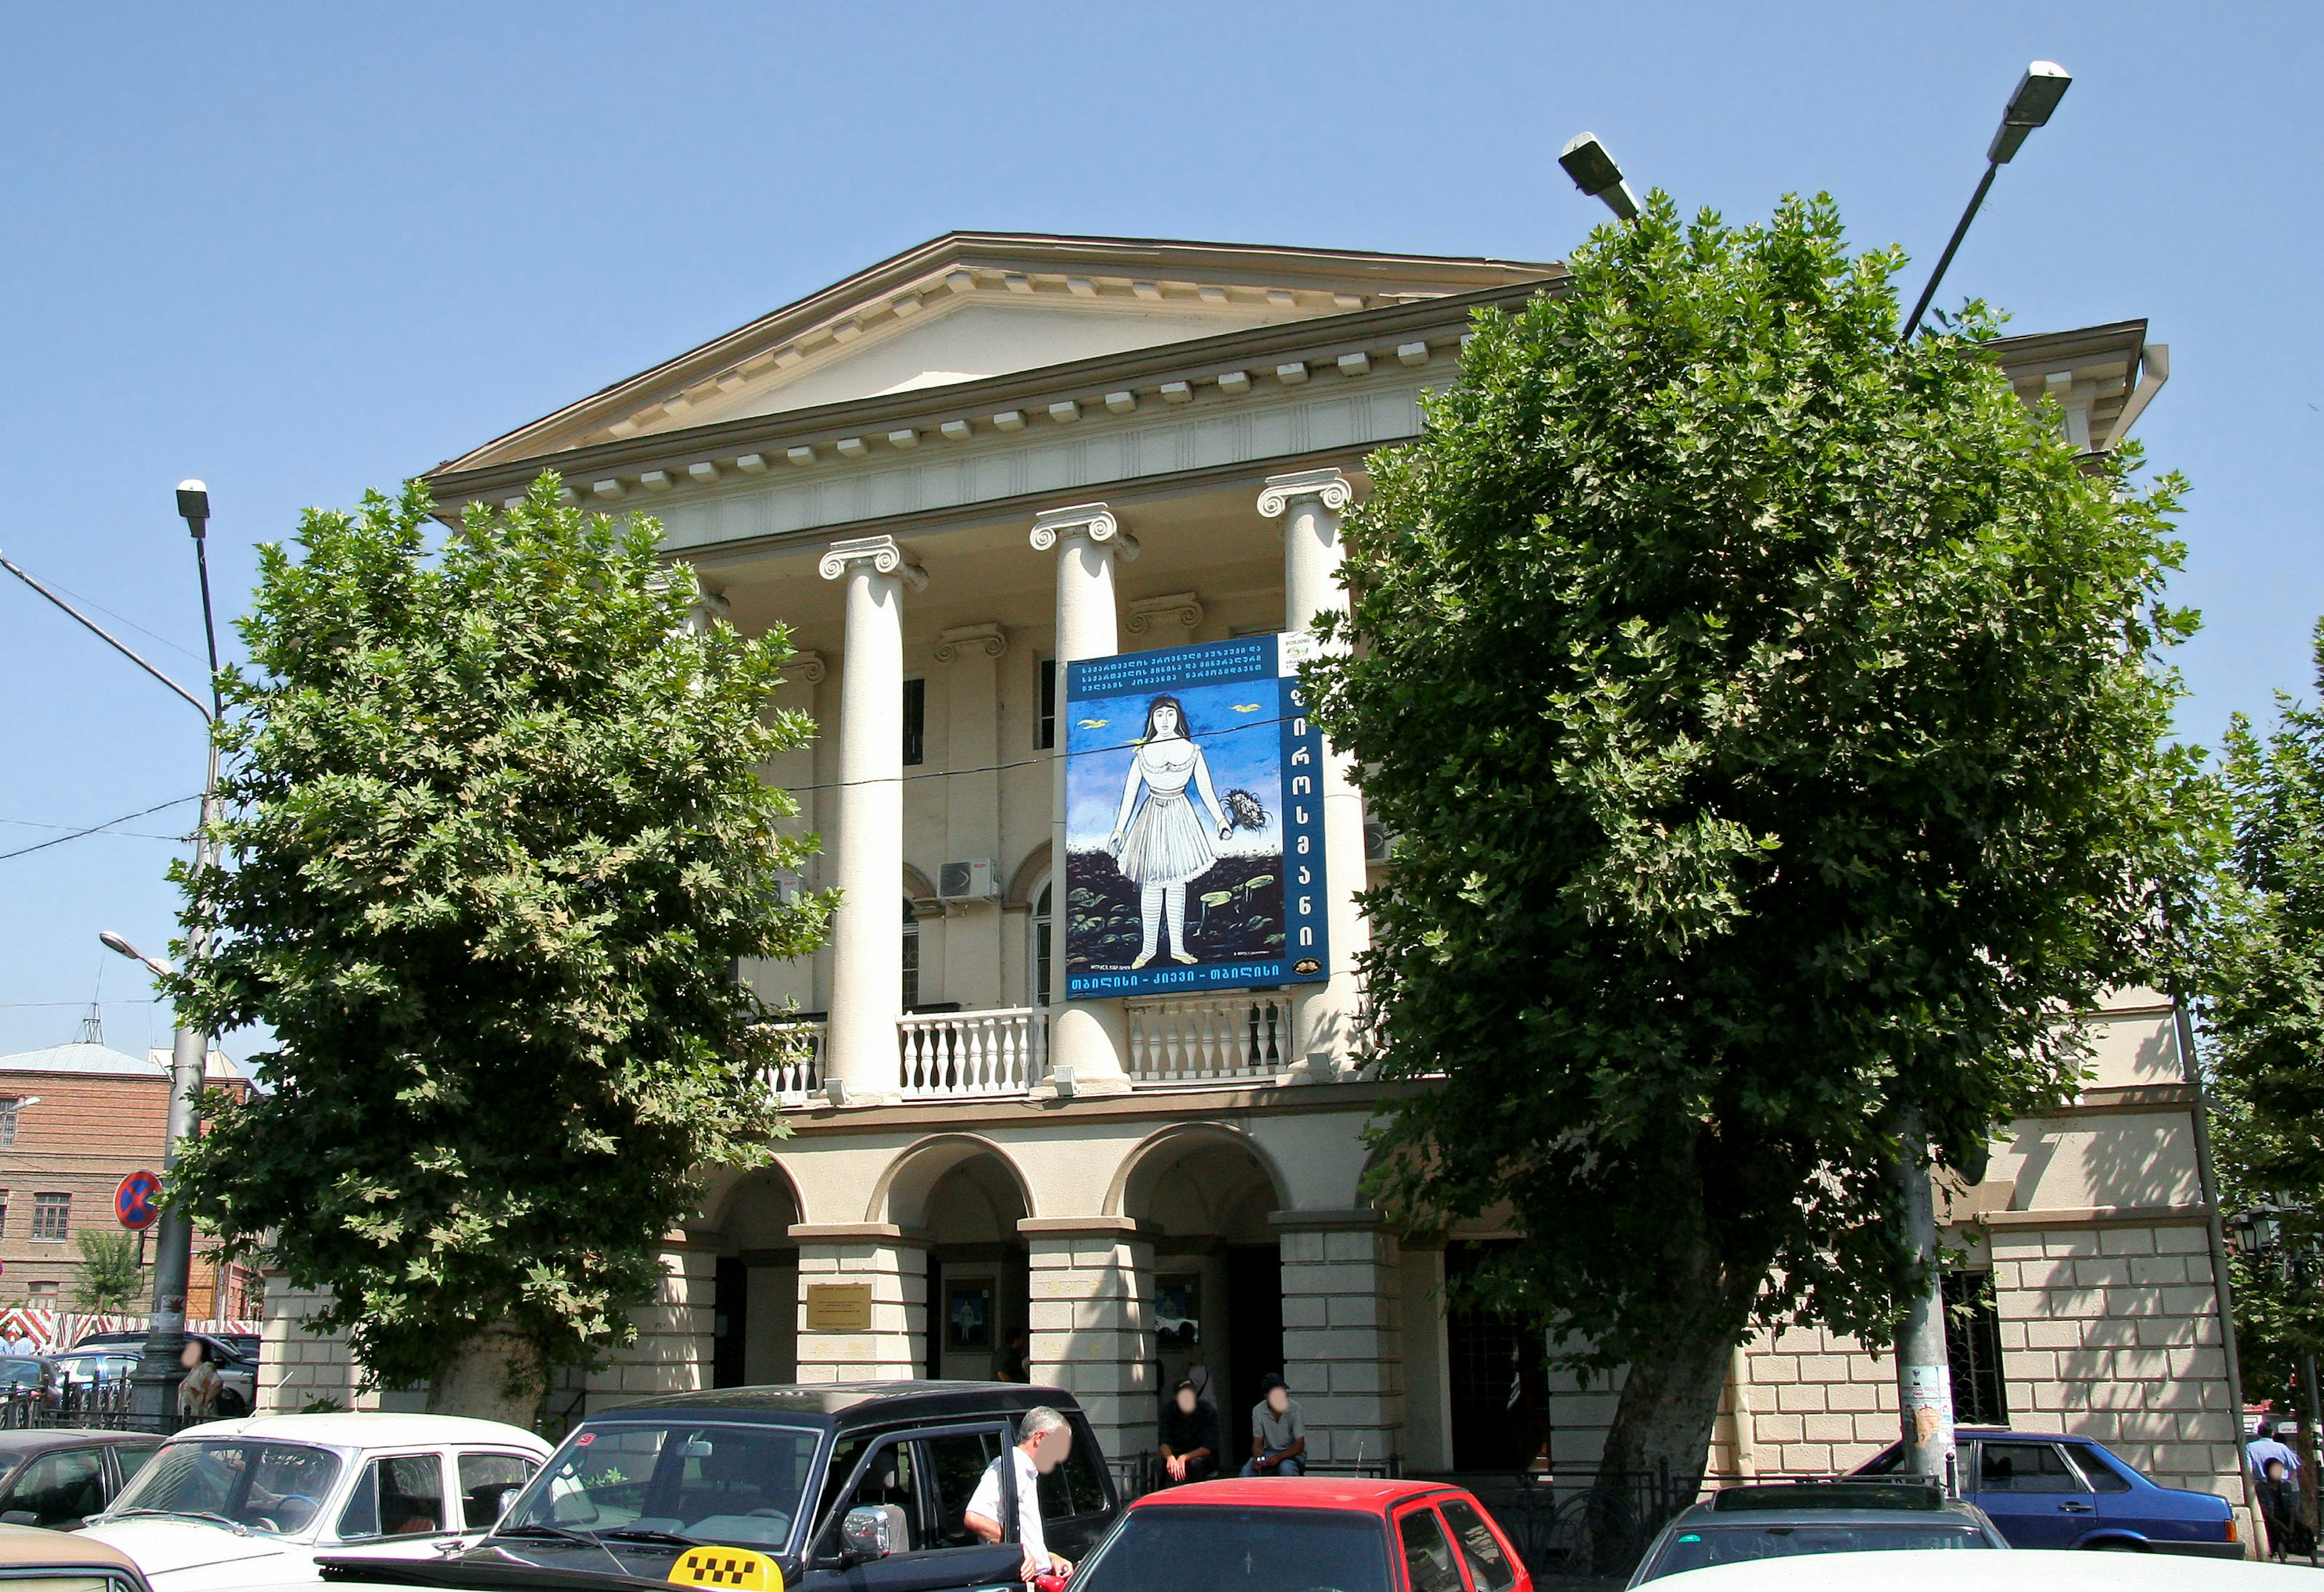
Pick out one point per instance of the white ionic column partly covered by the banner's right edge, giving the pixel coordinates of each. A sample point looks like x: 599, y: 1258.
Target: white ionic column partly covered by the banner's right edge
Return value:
x: 1310, y: 503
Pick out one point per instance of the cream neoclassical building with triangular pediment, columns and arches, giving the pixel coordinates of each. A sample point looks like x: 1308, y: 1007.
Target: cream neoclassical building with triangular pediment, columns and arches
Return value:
x: 970, y: 466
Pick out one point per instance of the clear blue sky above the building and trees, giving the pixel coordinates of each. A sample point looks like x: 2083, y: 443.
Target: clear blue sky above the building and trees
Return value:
x: 310, y: 250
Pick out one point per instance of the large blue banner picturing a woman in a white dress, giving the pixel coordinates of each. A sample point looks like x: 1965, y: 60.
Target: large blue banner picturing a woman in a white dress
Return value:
x: 1193, y: 824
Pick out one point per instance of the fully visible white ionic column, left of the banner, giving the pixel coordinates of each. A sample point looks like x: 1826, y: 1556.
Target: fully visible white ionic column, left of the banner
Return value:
x: 868, y: 866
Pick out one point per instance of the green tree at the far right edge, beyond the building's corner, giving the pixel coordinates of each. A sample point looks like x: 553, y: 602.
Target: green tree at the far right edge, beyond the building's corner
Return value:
x: 2265, y: 1012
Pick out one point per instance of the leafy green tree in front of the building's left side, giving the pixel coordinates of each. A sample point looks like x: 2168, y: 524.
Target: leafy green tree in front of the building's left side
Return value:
x: 496, y: 845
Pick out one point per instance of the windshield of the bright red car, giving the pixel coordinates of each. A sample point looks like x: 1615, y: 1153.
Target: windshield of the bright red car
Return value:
x: 1258, y: 1549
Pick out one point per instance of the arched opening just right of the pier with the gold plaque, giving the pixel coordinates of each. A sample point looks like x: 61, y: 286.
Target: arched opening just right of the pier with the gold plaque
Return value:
x: 966, y: 1200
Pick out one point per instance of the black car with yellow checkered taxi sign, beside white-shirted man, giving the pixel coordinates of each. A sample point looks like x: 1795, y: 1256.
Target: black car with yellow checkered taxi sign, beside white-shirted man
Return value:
x: 777, y: 1475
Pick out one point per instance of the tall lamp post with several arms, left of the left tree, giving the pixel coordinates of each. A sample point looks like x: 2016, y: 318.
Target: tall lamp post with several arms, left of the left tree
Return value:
x: 173, y: 1261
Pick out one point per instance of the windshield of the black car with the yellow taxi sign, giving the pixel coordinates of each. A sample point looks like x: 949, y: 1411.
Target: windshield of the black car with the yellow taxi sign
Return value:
x: 717, y: 1484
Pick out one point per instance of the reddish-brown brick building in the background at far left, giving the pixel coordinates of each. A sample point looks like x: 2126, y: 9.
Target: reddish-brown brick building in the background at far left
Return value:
x: 73, y: 1124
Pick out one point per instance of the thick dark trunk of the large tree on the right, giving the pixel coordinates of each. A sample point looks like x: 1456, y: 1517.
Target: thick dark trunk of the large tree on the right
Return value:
x: 1660, y: 1440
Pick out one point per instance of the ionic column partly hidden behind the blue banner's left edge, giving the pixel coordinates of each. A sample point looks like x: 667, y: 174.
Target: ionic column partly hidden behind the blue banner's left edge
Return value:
x: 1086, y: 1035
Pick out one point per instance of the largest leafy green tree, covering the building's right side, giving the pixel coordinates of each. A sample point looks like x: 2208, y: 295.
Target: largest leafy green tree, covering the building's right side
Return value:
x: 1777, y: 745
